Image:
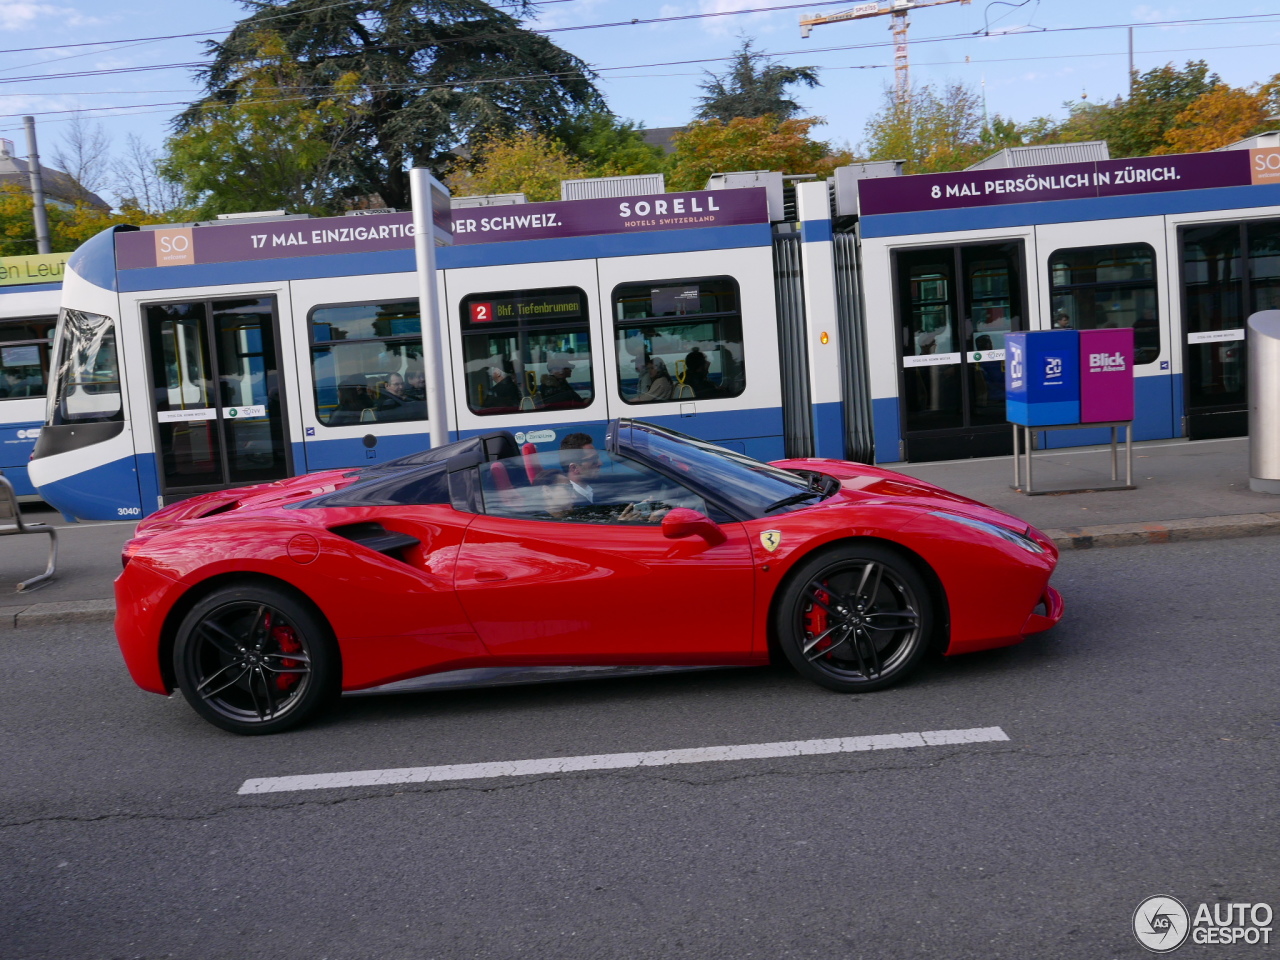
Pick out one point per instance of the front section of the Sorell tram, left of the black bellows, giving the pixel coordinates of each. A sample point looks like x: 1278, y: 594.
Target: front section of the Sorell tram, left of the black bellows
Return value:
x: 177, y: 377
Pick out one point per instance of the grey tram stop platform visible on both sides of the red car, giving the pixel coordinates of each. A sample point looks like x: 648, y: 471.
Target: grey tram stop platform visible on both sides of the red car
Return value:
x: 1186, y: 491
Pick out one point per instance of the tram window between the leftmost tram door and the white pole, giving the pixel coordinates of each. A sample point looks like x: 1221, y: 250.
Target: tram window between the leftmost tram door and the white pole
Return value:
x: 367, y: 363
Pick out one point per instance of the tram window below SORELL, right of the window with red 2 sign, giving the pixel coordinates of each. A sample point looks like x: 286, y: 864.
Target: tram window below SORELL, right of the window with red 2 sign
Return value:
x: 679, y: 340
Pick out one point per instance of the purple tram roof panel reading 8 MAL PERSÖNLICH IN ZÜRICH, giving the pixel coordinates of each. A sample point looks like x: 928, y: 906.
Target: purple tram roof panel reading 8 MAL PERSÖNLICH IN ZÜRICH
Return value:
x: 1103, y: 179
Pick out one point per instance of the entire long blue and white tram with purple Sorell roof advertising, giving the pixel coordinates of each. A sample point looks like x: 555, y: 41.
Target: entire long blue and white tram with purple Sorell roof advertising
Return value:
x: 860, y: 319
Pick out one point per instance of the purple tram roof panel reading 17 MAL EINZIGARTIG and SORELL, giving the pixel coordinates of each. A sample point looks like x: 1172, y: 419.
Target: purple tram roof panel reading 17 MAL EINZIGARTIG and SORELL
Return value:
x: 269, y: 240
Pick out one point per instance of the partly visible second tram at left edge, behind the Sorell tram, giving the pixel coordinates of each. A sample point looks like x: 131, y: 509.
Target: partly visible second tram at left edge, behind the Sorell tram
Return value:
x: 30, y: 294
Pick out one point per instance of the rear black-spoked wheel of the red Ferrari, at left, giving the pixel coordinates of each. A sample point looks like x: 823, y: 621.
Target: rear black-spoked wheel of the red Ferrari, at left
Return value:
x: 255, y: 660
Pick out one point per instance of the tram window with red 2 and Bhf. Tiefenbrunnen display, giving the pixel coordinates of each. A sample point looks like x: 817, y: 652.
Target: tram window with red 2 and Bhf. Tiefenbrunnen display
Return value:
x: 527, y: 351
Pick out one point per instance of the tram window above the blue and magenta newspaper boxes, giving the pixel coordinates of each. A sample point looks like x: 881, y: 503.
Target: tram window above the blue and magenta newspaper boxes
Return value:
x: 1101, y: 287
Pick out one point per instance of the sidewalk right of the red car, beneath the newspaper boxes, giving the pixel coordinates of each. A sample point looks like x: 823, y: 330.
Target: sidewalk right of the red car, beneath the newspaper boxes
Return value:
x: 1186, y: 491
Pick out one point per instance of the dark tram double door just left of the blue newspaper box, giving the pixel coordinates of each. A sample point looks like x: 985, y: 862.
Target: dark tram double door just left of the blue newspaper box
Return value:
x: 956, y: 305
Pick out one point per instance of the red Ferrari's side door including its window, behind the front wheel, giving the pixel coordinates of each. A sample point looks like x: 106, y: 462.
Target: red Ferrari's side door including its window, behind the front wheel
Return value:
x: 547, y: 577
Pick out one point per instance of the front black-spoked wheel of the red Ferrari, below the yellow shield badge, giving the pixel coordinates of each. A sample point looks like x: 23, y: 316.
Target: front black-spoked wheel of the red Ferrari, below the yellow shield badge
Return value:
x: 856, y: 619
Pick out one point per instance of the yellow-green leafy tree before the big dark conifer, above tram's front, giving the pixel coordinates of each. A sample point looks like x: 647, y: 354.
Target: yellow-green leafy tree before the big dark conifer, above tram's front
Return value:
x: 269, y: 147
